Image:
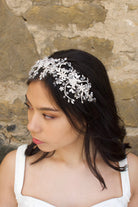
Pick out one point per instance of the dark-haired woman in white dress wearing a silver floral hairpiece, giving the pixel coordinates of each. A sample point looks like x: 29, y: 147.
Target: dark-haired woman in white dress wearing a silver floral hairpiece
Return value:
x: 77, y: 157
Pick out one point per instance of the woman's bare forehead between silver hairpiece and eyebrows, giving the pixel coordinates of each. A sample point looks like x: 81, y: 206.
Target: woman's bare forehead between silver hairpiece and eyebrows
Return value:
x: 39, y: 94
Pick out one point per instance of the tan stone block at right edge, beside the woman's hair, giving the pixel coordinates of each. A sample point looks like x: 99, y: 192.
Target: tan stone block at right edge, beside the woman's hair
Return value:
x: 126, y: 93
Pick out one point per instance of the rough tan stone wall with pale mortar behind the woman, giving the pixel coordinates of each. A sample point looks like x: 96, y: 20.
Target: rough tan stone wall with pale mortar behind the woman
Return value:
x: 30, y: 29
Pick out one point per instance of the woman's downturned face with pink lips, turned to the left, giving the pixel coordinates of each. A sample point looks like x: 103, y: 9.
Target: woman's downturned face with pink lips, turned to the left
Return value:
x: 48, y: 125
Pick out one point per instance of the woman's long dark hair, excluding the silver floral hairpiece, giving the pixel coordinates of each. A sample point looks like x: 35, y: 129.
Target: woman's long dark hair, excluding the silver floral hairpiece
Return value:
x: 103, y: 129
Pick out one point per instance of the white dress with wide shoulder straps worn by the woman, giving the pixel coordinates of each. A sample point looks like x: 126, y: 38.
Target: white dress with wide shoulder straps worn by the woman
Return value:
x: 28, y: 201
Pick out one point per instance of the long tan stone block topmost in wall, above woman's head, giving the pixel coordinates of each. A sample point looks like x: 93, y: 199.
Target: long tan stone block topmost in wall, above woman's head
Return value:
x: 52, y: 16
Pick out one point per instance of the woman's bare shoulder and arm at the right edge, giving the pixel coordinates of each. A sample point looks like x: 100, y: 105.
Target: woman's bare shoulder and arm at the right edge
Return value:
x: 133, y: 175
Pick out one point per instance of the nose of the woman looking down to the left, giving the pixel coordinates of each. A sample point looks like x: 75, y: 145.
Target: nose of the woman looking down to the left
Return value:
x: 34, y: 125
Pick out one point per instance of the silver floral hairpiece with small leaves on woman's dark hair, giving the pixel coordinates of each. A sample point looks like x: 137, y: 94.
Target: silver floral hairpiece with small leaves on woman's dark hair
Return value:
x: 71, y: 83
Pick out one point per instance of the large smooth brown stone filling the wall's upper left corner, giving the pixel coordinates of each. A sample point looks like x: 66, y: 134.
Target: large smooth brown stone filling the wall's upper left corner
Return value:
x: 17, y: 47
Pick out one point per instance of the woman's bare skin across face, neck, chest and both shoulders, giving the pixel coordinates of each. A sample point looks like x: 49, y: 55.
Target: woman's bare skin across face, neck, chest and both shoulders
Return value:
x: 66, y: 173
